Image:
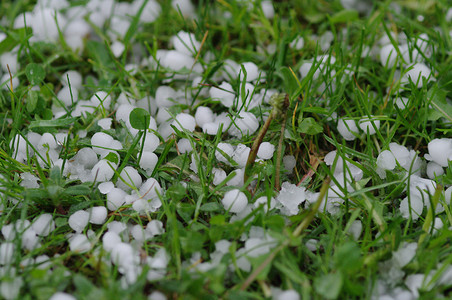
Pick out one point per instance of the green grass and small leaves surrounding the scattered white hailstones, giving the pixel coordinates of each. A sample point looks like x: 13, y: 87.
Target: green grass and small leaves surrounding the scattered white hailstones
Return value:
x: 354, y: 86
